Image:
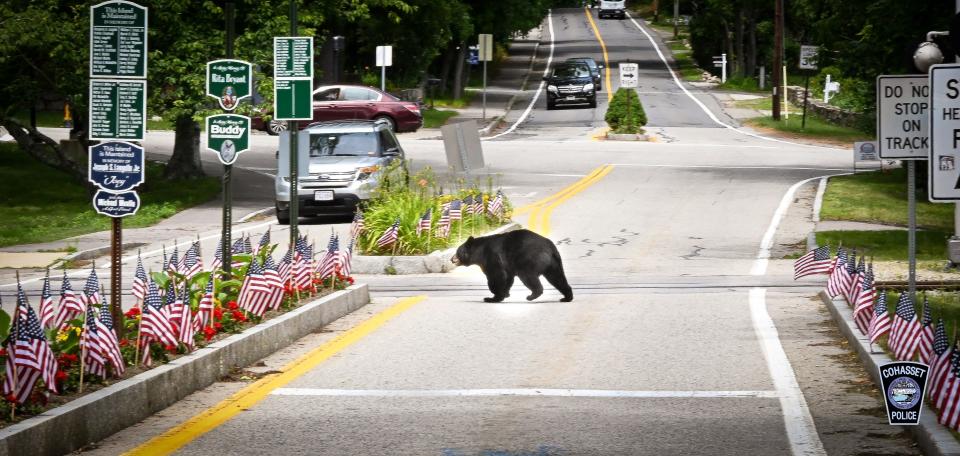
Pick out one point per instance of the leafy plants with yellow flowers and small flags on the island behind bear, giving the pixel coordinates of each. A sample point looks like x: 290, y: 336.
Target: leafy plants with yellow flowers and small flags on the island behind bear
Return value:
x: 415, y: 215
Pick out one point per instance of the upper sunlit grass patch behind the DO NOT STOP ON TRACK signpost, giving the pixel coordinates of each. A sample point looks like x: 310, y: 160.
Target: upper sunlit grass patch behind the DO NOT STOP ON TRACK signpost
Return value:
x: 881, y: 198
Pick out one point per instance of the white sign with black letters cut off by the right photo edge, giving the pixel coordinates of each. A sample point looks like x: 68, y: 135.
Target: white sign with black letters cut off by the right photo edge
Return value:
x: 944, y: 119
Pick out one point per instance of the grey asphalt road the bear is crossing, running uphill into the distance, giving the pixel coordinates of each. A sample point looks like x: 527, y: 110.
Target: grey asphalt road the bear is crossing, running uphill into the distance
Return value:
x: 683, y: 338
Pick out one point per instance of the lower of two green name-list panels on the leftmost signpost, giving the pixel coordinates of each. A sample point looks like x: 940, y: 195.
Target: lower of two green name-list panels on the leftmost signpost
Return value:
x: 118, y: 109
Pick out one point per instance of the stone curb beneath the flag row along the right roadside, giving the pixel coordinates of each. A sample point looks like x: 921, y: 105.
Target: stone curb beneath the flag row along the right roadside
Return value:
x: 933, y: 438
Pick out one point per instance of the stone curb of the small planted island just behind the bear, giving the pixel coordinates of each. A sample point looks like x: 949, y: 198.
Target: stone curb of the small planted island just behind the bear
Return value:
x: 436, y: 262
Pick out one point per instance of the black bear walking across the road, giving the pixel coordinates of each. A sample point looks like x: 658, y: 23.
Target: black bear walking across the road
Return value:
x: 520, y: 253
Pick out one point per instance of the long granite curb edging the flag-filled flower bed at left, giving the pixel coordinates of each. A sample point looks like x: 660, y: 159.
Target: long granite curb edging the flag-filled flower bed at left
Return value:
x: 93, y: 417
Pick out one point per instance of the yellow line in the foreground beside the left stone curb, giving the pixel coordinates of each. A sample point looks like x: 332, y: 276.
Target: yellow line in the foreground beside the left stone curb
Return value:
x: 186, y: 432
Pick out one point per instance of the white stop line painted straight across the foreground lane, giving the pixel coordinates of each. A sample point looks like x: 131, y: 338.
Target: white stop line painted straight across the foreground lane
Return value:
x: 534, y: 392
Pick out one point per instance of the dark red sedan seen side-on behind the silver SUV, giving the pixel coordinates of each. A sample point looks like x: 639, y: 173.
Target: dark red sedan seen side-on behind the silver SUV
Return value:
x: 339, y: 102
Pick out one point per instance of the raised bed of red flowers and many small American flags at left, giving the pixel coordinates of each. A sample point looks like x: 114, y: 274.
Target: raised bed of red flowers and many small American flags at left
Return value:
x: 179, y: 309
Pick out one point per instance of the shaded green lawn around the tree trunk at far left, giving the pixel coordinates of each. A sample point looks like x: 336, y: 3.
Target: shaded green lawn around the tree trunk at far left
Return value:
x: 40, y: 204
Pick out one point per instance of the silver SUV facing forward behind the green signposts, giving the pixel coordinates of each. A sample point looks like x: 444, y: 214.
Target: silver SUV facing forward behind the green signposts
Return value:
x: 340, y: 163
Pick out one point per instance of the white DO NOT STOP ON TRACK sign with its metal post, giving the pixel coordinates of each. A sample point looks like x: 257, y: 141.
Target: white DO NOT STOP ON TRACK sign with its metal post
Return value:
x: 902, y: 119
